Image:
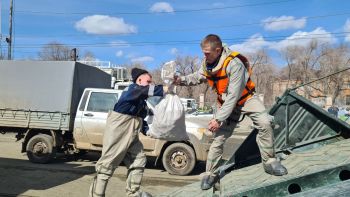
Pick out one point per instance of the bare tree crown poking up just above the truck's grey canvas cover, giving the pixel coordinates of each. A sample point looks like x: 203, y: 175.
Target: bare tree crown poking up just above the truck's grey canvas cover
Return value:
x: 55, y: 52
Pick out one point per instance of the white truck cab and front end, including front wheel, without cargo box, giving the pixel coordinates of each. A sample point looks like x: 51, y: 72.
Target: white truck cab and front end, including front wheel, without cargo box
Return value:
x: 177, y: 158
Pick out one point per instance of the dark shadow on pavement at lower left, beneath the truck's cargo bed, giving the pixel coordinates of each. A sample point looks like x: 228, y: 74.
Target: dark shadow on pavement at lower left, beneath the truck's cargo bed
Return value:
x: 19, y: 176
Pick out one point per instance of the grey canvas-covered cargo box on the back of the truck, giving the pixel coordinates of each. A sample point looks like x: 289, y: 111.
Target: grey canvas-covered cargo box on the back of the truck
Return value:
x: 44, y: 94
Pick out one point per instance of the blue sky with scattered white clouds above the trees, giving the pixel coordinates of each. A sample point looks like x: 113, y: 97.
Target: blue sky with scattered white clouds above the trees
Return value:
x: 154, y: 32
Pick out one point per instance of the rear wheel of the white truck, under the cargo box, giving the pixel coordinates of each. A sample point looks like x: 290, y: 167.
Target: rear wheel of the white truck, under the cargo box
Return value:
x: 40, y: 148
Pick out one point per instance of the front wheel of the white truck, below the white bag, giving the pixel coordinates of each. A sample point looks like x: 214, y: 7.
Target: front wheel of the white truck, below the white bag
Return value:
x: 179, y: 159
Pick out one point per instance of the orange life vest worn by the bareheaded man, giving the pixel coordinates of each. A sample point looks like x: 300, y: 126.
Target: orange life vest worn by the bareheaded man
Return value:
x: 219, y: 81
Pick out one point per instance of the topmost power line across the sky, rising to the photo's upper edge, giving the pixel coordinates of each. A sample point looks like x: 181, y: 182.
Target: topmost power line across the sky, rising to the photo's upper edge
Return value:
x: 146, y: 13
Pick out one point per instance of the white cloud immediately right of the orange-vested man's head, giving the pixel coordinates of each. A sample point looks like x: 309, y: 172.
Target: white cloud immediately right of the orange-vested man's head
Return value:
x: 253, y: 44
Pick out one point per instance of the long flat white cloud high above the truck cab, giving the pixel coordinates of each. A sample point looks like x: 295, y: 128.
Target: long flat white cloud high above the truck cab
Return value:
x: 102, y: 24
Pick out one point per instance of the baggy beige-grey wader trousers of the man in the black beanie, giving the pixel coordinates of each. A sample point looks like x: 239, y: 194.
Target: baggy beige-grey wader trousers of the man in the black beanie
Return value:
x: 120, y: 144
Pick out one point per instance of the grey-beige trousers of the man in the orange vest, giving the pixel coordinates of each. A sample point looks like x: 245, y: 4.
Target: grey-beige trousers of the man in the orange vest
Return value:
x: 255, y: 110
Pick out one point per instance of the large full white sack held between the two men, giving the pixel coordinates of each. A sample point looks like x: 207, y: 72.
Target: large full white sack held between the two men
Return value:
x: 169, y: 120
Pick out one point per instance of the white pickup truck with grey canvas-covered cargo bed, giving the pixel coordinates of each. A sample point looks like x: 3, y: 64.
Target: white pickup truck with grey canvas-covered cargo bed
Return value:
x: 63, y: 106
